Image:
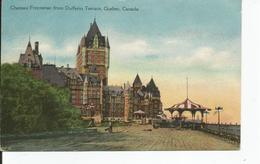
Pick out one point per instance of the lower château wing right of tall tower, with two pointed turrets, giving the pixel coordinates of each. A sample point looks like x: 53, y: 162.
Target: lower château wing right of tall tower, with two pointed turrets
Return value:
x: 121, y: 103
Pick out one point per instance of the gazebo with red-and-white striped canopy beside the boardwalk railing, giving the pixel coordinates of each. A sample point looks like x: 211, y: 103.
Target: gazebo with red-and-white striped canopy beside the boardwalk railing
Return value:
x: 190, y: 106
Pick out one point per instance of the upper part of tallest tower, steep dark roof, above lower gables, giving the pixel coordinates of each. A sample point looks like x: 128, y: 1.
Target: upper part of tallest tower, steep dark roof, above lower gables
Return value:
x: 94, y: 49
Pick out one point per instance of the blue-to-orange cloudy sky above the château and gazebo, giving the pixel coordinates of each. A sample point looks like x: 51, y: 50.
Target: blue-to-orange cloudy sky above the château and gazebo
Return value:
x: 168, y: 40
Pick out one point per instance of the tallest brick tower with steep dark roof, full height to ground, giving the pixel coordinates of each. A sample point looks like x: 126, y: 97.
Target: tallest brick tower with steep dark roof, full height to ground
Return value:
x: 92, y: 63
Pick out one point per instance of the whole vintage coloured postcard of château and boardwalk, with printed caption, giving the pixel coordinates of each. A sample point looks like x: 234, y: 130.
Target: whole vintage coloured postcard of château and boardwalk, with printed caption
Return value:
x: 119, y: 75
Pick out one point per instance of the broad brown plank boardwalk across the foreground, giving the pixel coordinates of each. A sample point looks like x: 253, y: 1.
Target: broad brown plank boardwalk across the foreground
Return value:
x: 128, y: 138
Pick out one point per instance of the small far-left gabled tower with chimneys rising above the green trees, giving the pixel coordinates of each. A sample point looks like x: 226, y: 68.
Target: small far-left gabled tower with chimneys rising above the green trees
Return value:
x: 32, y: 59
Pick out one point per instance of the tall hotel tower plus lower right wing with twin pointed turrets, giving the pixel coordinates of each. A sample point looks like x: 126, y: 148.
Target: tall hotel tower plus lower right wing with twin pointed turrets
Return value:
x: 104, y: 102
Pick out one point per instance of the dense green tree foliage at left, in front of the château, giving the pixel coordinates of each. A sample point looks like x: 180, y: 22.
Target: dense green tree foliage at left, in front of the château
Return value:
x: 29, y: 105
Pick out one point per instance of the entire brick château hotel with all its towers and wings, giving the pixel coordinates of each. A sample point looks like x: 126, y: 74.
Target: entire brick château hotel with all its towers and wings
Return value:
x: 88, y: 82
